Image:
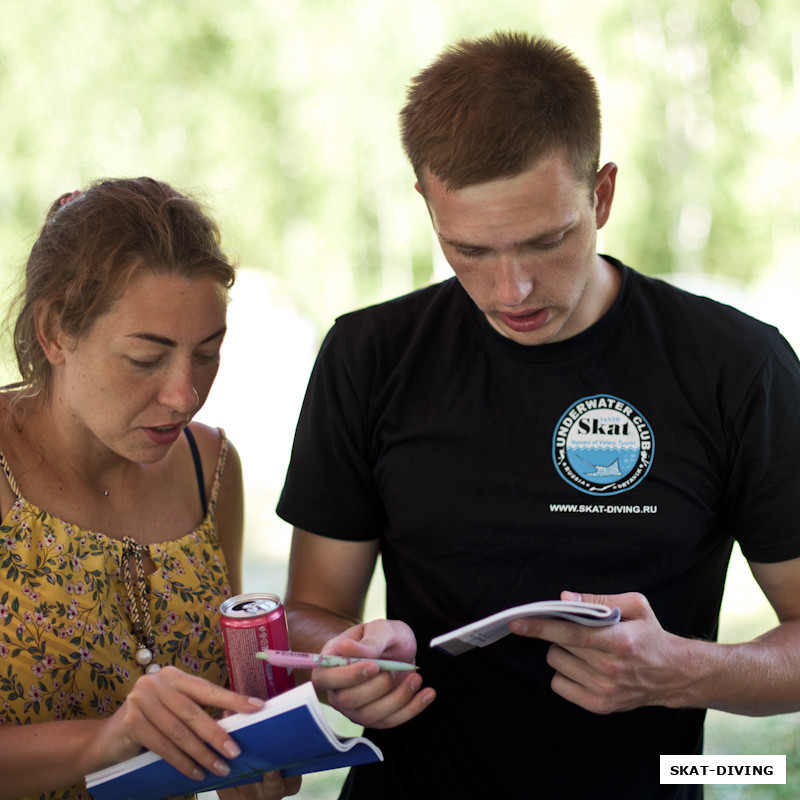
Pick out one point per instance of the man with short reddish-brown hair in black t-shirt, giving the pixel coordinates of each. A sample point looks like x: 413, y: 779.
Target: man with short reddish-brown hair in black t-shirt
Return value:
x: 547, y: 423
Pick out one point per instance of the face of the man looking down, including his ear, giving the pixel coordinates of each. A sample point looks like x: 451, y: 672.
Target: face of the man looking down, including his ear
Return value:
x: 524, y: 248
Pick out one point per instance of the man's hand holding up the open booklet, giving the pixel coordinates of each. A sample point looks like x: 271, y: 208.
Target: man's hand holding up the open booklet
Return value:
x: 616, y: 668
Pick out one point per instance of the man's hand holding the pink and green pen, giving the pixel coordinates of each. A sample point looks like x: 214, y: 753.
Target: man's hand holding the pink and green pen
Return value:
x: 365, y: 694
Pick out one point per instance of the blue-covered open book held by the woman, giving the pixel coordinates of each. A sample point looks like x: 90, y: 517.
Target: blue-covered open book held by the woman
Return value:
x: 290, y: 733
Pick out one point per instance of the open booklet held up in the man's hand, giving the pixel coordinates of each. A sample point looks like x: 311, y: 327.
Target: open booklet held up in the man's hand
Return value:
x: 490, y: 629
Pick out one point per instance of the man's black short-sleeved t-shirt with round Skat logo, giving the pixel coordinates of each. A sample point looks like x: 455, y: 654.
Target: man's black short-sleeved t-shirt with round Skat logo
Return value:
x: 627, y: 458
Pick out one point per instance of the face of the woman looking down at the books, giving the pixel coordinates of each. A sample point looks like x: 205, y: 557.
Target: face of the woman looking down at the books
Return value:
x: 134, y: 380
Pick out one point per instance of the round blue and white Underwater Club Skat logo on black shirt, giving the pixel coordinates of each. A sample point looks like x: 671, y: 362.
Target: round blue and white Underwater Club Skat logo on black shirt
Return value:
x: 603, y: 445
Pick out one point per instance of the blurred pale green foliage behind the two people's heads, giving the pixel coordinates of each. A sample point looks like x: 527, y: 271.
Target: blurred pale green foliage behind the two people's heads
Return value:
x: 283, y: 116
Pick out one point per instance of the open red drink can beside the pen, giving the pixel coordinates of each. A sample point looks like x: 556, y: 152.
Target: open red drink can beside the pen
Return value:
x: 250, y: 623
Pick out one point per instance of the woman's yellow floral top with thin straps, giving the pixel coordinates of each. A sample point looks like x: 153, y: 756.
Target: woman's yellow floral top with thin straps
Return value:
x: 66, y: 645
